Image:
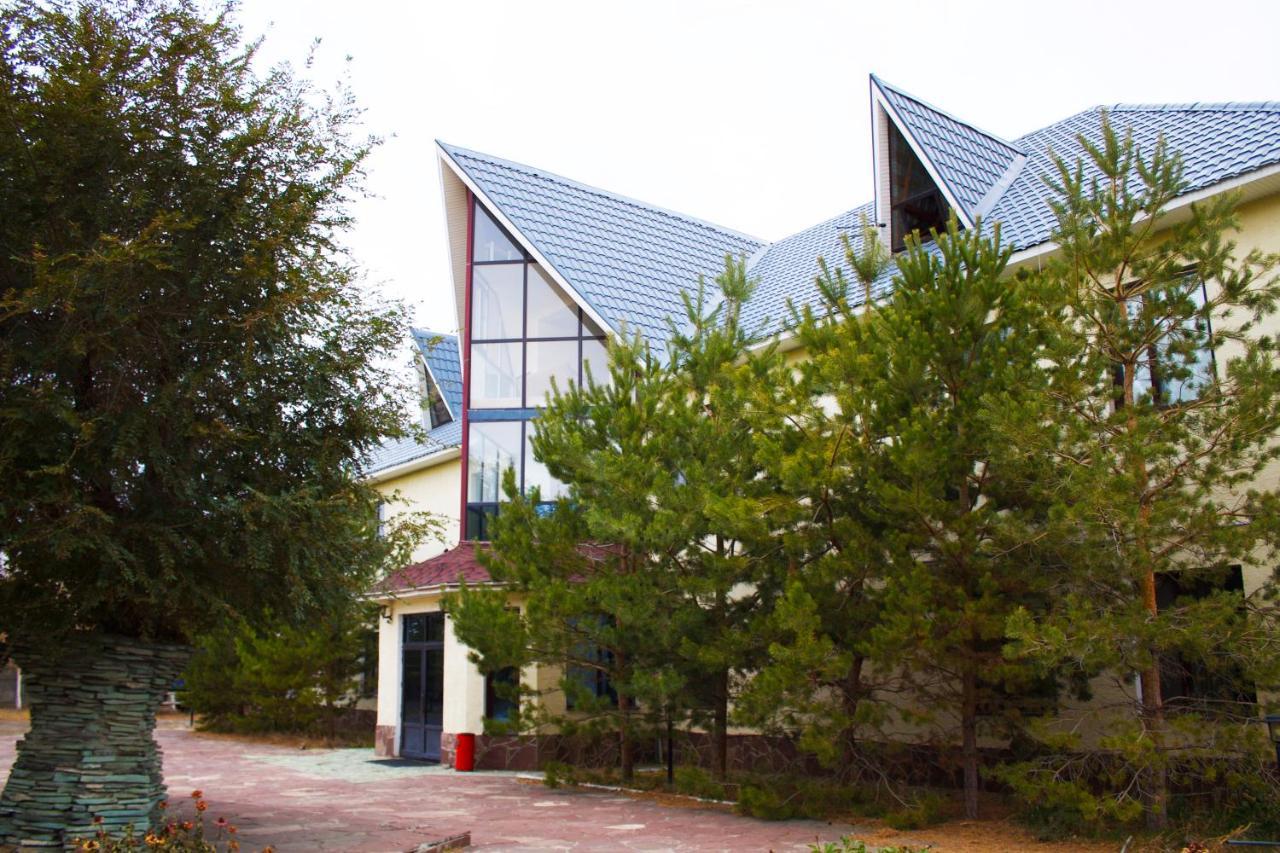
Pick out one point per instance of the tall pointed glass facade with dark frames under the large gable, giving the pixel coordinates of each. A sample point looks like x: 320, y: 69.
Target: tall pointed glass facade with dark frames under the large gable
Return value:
x: 528, y: 339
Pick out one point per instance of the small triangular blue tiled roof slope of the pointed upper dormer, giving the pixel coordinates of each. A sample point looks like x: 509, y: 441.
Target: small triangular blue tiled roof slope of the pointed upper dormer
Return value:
x: 971, y: 162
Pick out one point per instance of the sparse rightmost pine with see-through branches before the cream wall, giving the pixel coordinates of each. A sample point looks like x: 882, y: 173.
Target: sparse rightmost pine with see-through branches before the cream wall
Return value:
x: 1162, y: 427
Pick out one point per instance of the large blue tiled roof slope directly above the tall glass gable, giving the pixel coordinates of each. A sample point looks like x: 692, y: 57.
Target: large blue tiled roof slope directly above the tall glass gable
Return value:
x: 629, y: 261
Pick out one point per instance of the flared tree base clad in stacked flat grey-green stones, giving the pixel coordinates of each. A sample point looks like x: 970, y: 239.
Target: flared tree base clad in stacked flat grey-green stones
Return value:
x: 90, y: 752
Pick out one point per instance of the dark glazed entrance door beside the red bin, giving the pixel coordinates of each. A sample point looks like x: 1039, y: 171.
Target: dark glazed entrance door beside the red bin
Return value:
x: 423, y: 686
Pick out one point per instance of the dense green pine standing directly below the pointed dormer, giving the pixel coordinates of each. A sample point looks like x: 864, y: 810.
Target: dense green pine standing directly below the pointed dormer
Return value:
x: 958, y: 343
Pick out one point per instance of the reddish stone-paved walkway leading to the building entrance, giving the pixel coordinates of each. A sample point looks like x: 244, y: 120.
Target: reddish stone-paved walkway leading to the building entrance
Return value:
x: 340, y: 800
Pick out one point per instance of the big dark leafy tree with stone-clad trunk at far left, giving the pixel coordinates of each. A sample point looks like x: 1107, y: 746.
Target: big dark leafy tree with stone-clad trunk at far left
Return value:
x: 188, y: 367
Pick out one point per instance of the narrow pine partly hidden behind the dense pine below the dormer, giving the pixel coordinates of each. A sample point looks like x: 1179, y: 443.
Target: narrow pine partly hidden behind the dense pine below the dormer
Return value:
x: 821, y: 443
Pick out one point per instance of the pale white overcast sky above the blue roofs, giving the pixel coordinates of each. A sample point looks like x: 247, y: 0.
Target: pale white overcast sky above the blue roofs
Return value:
x: 749, y: 115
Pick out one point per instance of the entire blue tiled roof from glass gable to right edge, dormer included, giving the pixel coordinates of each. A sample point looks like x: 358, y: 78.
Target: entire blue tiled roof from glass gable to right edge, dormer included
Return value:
x: 630, y: 261
